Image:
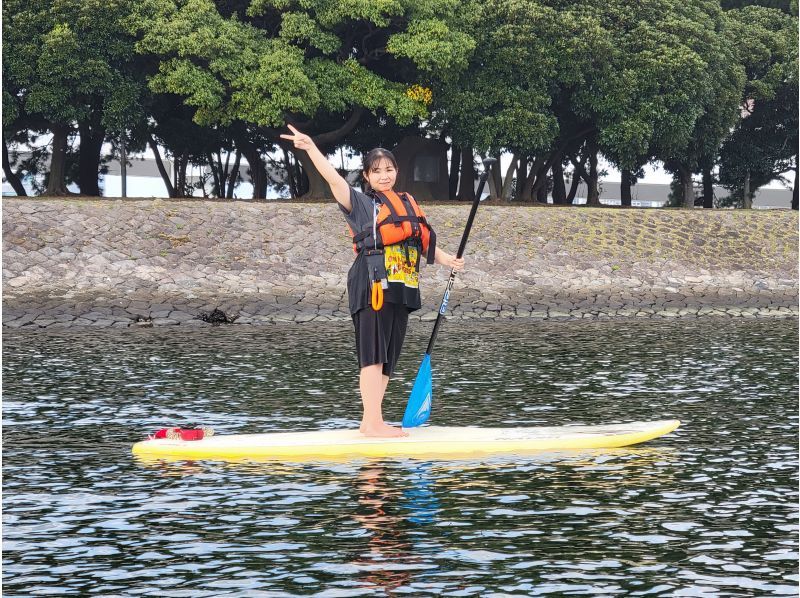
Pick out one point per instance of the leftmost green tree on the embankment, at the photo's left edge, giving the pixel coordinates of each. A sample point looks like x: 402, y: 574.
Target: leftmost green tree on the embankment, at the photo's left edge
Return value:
x: 68, y: 64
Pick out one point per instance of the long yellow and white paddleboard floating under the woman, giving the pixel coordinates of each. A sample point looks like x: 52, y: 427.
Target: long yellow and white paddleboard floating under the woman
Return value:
x: 421, y: 442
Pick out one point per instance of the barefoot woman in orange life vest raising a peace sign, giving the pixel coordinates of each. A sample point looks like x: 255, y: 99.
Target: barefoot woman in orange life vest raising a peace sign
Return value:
x: 382, y: 284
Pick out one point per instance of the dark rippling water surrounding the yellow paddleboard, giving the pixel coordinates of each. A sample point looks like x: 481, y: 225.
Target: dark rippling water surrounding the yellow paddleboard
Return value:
x: 708, y: 510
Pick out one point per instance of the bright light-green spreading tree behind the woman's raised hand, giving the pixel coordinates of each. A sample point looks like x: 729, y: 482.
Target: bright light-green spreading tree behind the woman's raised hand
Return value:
x: 319, y: 65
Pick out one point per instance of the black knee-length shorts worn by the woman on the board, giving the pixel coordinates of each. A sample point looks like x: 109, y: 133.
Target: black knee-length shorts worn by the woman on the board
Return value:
x: 380, y: 335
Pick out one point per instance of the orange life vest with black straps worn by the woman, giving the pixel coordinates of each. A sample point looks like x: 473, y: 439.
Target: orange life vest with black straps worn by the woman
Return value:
x: 399, y: 219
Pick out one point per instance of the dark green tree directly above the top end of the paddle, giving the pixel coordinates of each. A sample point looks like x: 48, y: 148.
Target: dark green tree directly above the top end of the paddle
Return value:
x: 501, y: 101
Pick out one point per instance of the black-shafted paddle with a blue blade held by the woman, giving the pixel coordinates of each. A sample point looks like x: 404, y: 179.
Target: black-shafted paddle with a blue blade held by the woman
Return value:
x: 418, y: 409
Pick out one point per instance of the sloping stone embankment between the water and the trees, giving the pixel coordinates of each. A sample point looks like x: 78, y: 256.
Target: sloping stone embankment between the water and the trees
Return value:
x: 121, y: 263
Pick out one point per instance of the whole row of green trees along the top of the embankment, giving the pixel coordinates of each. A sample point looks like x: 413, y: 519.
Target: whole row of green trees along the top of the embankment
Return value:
x: 554, y: 83
